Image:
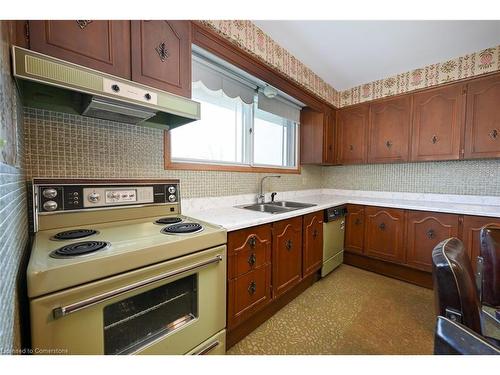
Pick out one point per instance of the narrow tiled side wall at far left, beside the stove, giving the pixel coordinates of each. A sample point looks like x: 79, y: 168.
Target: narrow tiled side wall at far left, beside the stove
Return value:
x: 13, y: 215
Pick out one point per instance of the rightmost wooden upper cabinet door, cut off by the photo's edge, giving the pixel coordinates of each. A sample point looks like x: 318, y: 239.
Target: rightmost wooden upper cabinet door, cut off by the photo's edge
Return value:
x: 482, y: 127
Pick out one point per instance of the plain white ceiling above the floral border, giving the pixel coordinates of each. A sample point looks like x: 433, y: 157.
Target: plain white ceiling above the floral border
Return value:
x: 349, y: 53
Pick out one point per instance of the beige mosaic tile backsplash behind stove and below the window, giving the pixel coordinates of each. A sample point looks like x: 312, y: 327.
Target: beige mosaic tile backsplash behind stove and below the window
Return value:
x: 61, y: 145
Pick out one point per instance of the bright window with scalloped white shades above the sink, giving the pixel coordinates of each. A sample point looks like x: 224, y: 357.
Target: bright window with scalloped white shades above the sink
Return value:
x: 239, y: 126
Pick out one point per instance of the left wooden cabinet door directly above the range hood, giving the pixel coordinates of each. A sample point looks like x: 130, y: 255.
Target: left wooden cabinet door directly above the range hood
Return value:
x: 100, y: 45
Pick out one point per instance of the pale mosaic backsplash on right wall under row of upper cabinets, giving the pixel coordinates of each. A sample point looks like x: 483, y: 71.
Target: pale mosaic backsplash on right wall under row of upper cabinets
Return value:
x: 476, y: 177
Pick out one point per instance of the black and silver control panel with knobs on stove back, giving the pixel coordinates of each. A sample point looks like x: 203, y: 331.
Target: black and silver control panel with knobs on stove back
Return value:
x: 70, y: 197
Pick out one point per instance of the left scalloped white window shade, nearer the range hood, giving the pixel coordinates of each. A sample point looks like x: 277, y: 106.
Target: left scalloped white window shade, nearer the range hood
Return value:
x: 215, y: 77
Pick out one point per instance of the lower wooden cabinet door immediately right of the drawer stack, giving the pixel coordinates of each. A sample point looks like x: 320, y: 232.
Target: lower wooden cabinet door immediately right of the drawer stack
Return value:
x: 287, y: 254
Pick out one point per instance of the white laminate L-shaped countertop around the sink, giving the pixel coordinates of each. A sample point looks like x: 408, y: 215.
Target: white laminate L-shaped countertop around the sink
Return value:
x: 221, y: 210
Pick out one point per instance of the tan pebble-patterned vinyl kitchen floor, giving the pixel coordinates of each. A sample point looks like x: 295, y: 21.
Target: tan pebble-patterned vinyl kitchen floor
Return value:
x: 351, y: 311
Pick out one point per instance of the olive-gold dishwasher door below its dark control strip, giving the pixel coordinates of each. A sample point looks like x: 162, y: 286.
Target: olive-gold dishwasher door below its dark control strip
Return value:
x: 333, y: 245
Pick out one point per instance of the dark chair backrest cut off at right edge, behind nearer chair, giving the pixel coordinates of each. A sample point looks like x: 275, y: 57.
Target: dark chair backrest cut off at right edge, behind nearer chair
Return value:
x: 490, y: 264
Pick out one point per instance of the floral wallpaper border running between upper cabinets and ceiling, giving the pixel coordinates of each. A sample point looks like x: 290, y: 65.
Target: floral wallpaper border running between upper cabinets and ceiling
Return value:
x: 252, y: 39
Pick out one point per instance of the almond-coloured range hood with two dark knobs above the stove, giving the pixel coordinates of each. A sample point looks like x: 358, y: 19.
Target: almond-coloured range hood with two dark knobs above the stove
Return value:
x: 49, y: 83
